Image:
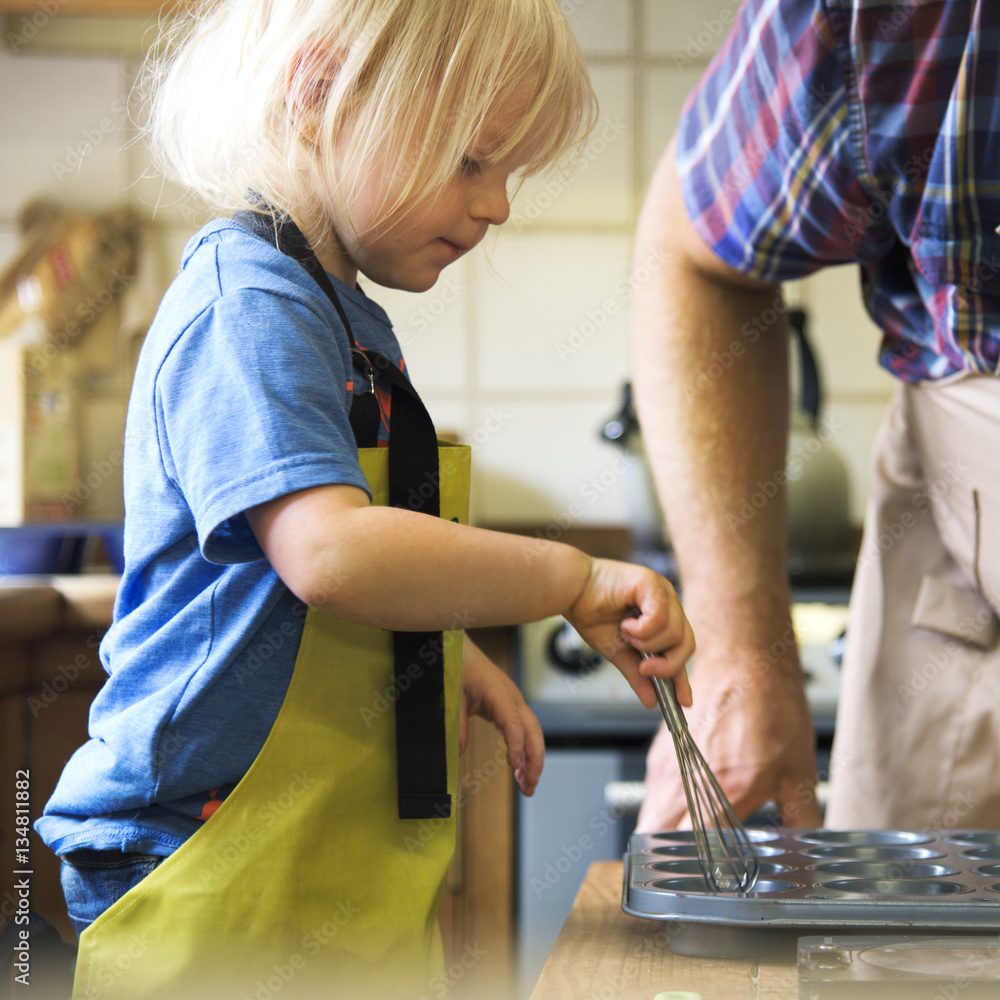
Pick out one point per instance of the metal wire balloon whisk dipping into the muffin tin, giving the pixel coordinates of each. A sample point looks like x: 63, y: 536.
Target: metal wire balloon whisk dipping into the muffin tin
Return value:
x: 725, y: 851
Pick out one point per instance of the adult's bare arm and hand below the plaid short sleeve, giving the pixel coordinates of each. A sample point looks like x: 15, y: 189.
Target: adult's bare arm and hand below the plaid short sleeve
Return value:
x: 709, y: 349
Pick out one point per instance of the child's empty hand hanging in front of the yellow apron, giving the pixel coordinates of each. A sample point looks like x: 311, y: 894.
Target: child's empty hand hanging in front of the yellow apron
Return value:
x: 489, y: 693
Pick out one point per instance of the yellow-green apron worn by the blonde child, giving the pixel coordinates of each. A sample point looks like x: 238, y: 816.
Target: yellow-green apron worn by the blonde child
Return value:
x: 304, y: 883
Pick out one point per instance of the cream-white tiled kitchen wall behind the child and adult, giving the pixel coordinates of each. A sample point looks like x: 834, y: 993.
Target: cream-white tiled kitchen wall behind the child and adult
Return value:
x: 522, y: 349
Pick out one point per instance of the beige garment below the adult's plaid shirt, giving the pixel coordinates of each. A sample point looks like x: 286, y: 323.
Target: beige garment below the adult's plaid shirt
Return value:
x: 917, y: 743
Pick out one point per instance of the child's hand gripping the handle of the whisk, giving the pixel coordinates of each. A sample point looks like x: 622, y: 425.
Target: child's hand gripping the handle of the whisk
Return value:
x: 625, y: 608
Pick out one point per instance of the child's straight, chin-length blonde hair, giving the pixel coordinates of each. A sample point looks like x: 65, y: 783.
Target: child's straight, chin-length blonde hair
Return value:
x: 254, y: 95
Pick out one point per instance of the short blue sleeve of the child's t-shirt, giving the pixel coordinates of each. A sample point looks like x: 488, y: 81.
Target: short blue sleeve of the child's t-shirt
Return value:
x: 252, y: 404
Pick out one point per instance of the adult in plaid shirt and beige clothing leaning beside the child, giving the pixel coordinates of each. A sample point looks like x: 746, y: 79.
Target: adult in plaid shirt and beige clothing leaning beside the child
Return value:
x: 828, y: 132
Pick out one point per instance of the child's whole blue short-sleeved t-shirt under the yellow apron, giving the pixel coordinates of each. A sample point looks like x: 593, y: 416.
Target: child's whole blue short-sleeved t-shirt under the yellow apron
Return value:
x: 241, y: 395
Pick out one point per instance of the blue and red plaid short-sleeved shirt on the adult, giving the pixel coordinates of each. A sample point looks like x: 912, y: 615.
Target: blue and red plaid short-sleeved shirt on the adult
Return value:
x: 834, y: 131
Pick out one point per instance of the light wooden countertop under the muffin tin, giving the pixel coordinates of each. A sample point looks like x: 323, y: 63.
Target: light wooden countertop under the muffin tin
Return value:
x: 603, y: 952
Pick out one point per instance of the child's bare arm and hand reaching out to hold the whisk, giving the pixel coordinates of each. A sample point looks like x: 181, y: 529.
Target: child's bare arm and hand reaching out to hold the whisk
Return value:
x: 397, y: 569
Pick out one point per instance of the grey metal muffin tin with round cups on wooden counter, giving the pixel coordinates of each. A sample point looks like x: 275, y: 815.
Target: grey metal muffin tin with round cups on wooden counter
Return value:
x: 818, y: 882
